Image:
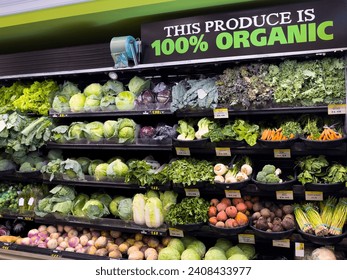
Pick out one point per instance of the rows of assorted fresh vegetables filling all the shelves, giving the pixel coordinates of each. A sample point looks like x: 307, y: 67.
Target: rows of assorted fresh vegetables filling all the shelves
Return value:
x: 25, y: 137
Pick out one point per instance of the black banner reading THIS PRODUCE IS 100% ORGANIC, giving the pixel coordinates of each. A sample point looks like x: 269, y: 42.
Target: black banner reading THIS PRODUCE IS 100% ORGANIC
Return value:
x: 305, y: 27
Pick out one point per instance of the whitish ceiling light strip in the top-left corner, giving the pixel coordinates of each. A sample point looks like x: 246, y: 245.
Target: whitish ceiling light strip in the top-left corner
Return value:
x: 11, y: 7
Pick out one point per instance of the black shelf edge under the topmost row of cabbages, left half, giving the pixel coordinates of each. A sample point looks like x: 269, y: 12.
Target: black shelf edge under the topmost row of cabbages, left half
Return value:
x: 151, y: 112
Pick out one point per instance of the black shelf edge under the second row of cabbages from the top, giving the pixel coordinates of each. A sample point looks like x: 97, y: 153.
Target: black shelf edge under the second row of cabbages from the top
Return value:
x: 101, y: 146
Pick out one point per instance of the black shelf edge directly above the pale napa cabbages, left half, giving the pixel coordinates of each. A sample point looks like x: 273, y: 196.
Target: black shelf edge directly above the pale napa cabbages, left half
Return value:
x: 106, y: 184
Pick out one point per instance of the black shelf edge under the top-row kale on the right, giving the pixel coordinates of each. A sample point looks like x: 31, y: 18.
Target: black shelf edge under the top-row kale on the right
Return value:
x: 264, y: 111
